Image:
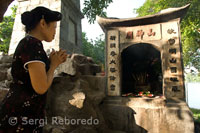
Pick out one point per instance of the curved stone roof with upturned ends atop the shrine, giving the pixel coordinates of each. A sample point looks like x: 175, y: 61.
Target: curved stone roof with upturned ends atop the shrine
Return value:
x: 163, y: 16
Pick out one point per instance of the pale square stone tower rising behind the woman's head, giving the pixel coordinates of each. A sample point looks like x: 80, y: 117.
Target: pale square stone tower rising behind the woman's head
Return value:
x: 68, y: 33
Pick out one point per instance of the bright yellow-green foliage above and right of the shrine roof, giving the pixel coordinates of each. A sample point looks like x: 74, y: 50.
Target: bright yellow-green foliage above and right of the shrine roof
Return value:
x: 190, y: 35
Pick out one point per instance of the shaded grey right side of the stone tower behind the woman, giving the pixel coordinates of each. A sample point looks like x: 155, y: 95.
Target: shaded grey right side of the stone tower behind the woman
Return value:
x: 71, y: 12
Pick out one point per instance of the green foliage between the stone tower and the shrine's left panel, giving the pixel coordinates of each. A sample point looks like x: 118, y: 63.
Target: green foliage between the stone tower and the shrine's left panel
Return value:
x: 94, y: 48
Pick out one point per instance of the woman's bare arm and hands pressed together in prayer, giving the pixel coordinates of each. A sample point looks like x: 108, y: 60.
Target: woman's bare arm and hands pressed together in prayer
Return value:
x: 40, y: 79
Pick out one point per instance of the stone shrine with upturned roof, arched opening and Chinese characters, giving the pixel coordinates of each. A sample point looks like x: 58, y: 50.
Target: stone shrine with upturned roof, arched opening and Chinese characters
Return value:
x: 144, y: 70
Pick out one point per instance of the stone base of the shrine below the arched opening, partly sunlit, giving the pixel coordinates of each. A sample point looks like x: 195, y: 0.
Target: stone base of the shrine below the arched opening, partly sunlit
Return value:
x: 152, y: 115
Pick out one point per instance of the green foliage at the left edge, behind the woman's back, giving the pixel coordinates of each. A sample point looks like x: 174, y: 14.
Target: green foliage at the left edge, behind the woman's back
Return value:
x: 6, y: 27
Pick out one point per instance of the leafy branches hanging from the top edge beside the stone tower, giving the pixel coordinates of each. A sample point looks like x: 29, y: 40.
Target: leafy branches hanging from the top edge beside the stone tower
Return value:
x: 95, y: 7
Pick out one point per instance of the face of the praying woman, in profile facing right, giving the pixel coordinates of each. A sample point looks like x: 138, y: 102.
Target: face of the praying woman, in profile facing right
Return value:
x: 50, y: 31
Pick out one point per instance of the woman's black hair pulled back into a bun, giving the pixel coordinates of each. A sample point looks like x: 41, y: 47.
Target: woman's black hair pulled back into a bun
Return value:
x: 31, y: 18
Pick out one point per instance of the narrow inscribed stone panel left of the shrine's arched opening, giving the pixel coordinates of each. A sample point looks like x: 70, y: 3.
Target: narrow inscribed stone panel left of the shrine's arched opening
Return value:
x: 113, y: 77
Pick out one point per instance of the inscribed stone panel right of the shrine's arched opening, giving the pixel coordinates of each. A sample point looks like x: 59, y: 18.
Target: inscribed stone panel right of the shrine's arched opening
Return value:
x: 173, y: 76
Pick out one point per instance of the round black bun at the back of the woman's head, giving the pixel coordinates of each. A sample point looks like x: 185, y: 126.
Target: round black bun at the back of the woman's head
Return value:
x: 26, y: 18
